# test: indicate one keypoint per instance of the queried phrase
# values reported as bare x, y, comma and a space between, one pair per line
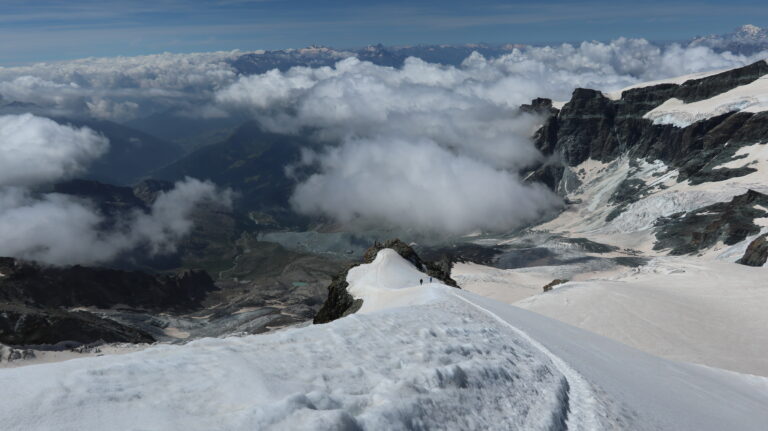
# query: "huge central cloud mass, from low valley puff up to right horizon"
438, 148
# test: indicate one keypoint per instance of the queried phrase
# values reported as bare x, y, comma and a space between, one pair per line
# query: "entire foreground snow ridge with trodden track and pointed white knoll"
430, 357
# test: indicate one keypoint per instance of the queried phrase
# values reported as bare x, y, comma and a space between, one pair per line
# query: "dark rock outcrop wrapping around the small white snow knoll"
340, 303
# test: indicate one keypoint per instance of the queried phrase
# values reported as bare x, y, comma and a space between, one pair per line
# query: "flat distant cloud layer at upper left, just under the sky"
120, 88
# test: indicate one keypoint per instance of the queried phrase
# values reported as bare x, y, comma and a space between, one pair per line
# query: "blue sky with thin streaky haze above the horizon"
34, 30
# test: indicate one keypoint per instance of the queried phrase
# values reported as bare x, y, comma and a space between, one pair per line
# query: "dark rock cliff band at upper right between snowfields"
593, 126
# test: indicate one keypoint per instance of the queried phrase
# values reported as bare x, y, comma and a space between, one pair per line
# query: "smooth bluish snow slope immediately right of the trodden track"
660, 394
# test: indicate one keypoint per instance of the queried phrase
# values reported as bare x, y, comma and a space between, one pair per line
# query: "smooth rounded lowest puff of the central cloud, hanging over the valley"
418, 185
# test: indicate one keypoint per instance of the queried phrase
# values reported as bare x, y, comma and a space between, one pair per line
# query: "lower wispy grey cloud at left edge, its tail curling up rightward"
62, 230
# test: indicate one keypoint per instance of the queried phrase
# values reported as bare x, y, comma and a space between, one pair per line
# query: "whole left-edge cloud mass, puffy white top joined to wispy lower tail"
61, 229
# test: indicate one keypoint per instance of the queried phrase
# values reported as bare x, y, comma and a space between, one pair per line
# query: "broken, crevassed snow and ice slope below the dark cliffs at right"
634, 227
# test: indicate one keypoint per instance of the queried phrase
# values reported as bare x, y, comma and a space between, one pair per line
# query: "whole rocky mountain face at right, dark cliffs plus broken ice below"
703, 157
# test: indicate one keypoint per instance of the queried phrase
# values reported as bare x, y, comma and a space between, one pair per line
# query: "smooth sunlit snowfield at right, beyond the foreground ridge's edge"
680, 308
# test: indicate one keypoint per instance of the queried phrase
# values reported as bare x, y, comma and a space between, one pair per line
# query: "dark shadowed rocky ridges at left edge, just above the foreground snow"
41, 305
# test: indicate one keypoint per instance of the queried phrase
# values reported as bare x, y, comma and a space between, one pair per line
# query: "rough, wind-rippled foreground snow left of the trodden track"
441, 365
